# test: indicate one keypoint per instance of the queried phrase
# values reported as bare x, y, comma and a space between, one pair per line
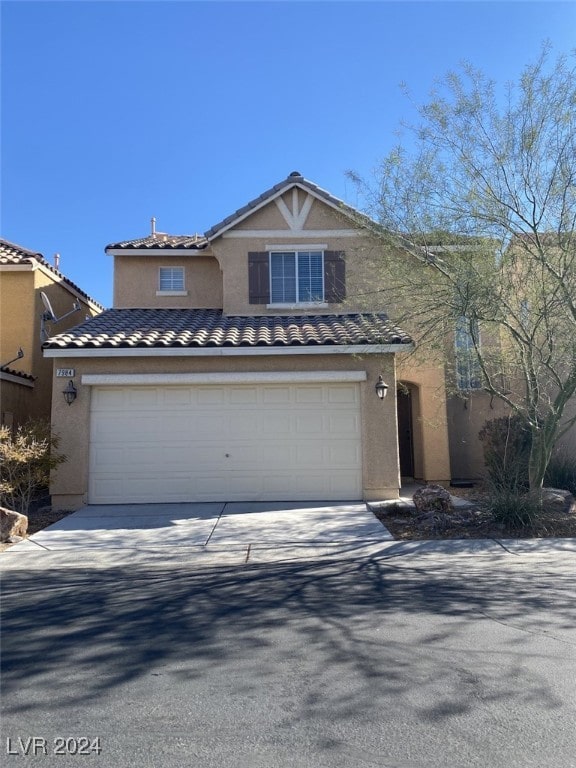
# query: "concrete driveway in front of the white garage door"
212, 532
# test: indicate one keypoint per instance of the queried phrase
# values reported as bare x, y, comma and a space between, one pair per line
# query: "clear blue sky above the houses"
113, 112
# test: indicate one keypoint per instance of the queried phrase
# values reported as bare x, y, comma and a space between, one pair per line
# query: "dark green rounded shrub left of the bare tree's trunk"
506, 444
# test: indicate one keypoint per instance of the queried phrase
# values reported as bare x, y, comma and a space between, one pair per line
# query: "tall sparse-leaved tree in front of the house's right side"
484, 197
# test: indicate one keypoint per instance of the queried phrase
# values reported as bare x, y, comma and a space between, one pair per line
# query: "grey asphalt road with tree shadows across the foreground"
417, 660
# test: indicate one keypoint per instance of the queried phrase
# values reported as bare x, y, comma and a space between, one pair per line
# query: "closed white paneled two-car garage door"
225, 443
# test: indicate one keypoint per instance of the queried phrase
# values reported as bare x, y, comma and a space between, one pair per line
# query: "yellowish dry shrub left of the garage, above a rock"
27, 456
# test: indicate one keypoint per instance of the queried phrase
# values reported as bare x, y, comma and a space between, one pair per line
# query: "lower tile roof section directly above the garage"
133, 328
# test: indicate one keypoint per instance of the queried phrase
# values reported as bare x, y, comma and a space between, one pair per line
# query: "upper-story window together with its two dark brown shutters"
287, 277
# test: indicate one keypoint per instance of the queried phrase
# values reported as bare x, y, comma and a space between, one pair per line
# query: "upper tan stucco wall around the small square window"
136, 282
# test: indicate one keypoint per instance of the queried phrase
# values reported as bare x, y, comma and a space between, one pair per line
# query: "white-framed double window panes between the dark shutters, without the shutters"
296, 277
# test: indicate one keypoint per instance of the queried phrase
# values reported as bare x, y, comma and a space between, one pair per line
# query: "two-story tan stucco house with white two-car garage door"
242, 364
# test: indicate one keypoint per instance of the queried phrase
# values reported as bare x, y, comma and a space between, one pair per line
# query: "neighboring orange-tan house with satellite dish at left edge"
25, 375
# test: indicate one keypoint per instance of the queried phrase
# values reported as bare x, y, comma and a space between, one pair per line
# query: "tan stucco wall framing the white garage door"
379, 429
